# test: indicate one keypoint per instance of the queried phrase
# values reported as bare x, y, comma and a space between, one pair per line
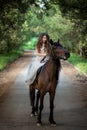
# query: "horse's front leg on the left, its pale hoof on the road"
39, 122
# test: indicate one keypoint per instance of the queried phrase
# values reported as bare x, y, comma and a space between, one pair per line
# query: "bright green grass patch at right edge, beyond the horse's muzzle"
79, 62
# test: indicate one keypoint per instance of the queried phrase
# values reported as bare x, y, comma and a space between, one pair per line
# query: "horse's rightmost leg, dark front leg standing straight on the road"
51, 117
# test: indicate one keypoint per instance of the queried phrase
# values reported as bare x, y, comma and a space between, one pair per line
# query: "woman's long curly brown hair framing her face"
40, 42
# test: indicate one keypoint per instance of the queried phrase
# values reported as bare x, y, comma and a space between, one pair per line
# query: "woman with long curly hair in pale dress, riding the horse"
42, 49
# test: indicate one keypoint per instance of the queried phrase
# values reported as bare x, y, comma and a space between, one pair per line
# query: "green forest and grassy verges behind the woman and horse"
21, 22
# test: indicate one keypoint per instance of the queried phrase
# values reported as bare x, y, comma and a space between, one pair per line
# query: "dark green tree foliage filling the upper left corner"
12, 31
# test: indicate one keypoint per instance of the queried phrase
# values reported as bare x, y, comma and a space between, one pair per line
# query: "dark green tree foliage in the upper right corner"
76, 10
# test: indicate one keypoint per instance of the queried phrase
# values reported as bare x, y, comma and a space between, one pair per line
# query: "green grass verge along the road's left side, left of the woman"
13, 55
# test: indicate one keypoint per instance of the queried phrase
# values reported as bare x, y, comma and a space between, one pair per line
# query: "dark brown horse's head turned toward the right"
59, 52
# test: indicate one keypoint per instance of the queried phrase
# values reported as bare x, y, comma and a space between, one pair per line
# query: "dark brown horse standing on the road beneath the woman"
46, 81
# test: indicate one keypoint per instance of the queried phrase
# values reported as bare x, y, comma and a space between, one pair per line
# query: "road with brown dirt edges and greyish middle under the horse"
70, 111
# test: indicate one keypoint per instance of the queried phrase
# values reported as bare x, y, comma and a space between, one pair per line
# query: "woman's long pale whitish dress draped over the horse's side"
34, 66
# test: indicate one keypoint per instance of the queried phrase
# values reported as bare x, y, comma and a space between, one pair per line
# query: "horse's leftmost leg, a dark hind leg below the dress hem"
32, 99
